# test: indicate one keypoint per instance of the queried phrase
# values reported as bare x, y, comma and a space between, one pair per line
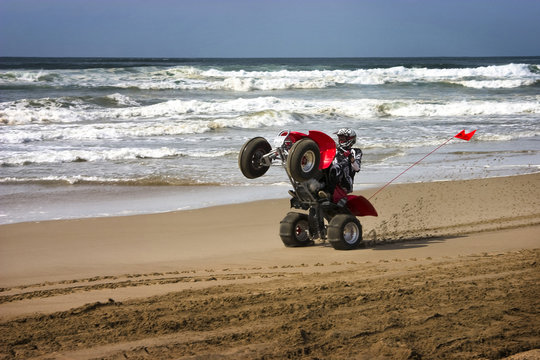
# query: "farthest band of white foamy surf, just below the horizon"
190, 78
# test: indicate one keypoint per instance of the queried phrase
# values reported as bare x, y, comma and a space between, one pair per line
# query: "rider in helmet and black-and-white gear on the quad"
345, 165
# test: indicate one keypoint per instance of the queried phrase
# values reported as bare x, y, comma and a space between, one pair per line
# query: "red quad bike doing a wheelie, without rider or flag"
307, 159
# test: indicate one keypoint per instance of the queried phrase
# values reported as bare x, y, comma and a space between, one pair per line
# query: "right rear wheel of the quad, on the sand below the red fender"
344, 232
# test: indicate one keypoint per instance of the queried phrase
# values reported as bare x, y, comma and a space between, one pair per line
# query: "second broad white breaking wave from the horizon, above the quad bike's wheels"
83, 120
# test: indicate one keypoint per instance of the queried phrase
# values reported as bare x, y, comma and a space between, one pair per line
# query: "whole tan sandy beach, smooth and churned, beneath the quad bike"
450, 270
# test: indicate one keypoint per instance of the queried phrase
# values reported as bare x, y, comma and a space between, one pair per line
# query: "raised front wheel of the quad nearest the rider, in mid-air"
303, 160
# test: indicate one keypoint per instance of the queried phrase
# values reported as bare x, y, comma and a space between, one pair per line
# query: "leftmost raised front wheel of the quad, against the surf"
249, 159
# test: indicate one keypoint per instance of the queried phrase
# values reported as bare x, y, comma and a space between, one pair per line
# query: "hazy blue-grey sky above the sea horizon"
269, 28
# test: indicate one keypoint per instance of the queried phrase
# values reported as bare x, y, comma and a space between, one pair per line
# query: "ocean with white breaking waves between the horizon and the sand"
117, 136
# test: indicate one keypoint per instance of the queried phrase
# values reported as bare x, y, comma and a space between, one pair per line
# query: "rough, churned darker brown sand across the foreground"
478, 306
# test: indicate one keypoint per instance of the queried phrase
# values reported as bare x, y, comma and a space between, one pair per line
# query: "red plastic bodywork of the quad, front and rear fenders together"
358, 205
